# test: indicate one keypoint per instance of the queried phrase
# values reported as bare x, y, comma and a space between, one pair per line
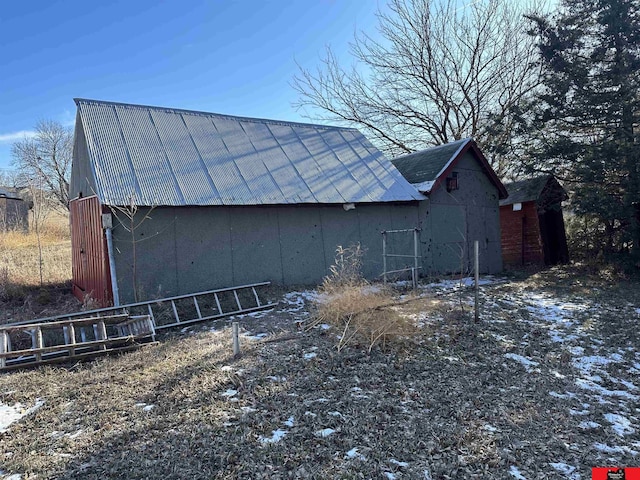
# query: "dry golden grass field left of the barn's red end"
22, 295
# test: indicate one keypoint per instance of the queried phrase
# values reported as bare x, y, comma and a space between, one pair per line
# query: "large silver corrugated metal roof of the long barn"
163, 156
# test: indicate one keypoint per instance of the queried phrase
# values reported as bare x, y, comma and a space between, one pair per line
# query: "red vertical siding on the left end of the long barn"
90, 264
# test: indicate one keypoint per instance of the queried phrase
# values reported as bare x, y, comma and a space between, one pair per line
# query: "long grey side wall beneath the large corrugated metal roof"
187, 249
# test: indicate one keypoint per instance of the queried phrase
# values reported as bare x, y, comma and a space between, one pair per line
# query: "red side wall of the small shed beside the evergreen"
520, 235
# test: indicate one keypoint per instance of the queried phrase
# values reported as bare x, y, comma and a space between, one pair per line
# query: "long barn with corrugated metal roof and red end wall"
194, 201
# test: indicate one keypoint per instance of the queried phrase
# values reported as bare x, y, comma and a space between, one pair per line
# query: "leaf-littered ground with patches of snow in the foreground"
545, 386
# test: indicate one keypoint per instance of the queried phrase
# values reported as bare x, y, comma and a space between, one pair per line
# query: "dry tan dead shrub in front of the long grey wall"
363, 313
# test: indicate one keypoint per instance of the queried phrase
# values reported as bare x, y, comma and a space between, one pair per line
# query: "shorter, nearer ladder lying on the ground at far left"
66, 340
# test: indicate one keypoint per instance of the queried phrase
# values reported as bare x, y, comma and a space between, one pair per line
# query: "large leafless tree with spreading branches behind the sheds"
436, 72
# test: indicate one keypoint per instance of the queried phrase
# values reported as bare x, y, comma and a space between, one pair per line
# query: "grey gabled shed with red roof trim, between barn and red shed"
462, 193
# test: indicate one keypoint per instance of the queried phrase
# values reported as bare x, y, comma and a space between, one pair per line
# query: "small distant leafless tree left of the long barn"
45, 158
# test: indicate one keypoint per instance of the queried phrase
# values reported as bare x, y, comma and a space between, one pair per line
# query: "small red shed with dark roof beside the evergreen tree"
532, 223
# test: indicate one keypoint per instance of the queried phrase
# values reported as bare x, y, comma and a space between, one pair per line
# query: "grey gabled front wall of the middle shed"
452, 221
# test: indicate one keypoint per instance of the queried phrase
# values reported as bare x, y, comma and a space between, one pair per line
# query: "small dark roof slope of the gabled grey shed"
424, 167
